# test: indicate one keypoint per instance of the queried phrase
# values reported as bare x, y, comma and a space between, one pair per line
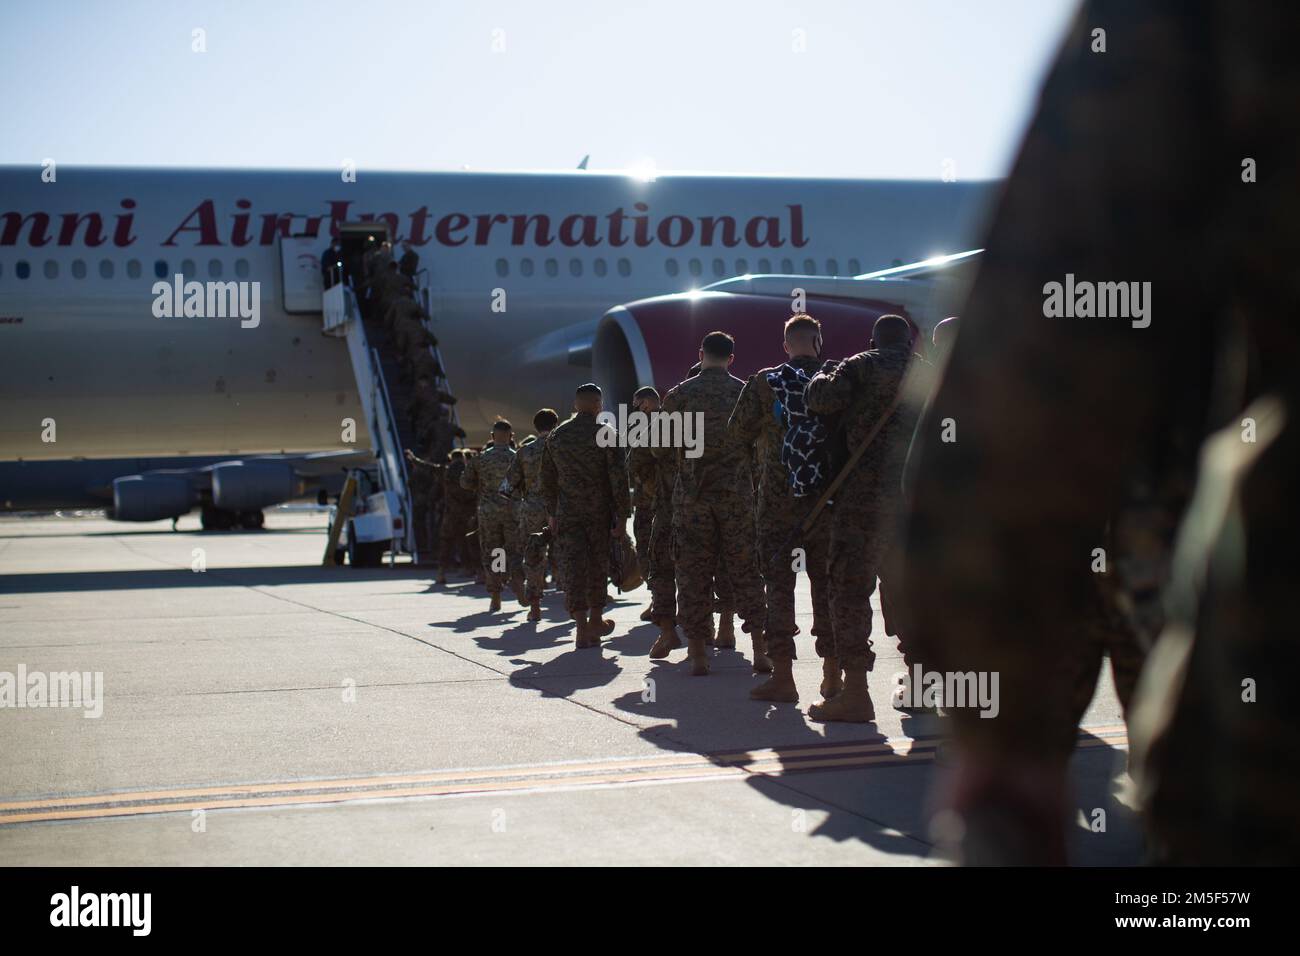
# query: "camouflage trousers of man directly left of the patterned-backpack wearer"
714, 538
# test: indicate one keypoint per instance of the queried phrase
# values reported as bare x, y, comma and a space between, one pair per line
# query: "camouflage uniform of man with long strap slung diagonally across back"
861, 390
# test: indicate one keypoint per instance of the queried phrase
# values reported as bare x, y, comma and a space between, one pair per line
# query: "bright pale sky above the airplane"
882, 89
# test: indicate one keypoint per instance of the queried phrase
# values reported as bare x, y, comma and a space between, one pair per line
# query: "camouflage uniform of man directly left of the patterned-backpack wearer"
713, 509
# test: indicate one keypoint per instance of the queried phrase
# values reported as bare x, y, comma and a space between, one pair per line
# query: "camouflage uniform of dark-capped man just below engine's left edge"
586, 490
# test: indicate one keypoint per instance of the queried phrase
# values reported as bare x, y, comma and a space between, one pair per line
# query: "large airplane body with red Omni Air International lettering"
517, 271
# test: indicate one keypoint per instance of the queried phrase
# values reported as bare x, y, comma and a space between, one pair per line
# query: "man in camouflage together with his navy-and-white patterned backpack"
791, 447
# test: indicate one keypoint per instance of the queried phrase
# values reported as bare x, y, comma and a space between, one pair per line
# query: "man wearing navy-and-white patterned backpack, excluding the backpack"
760, 423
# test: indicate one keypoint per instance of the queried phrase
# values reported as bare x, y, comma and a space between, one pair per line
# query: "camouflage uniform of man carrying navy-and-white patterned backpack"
781, 513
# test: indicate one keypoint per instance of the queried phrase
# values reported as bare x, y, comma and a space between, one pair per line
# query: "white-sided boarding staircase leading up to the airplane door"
385, 403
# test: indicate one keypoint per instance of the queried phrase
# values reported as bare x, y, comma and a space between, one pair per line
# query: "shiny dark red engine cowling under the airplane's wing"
656, 341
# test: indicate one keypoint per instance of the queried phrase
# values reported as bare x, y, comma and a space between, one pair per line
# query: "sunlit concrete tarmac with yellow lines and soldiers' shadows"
268, 711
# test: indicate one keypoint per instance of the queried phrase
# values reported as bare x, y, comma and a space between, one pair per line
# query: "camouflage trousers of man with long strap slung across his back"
861, 542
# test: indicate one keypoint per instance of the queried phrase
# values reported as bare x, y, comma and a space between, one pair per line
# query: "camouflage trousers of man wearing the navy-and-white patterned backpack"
779, 520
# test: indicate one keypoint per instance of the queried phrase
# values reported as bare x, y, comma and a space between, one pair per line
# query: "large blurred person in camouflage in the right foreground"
1080, 414
